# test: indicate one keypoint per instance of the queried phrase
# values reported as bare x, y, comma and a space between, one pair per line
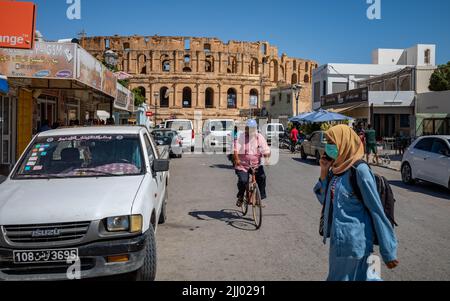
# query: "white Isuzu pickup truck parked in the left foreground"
83, 203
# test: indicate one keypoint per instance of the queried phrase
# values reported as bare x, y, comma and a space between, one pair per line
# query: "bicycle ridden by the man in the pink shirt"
252, 197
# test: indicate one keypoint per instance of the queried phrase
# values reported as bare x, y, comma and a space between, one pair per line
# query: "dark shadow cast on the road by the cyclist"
231, 217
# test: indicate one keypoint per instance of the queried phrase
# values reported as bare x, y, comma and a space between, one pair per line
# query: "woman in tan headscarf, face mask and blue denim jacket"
351, 224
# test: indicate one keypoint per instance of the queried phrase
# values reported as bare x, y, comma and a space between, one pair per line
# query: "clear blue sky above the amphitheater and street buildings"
329, 31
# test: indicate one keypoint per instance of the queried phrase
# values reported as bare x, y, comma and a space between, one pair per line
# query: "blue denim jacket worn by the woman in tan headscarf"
354, 223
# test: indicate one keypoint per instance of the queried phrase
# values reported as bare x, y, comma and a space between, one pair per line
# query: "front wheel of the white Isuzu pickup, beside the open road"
148, 270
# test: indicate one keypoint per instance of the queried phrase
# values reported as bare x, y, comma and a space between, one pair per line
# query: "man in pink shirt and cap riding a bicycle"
249, 148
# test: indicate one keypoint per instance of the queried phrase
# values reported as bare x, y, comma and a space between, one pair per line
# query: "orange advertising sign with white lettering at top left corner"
17, 24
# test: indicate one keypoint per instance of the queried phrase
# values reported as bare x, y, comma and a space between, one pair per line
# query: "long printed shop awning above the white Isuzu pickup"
51, 65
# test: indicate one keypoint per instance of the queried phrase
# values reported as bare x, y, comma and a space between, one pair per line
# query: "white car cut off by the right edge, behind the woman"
427, 159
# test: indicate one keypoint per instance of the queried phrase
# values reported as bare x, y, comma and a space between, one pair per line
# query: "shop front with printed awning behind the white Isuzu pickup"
51, 85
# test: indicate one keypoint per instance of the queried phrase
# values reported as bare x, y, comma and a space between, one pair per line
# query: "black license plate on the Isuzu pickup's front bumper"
39, 256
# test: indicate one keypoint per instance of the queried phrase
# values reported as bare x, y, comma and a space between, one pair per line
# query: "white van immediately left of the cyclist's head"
218, 134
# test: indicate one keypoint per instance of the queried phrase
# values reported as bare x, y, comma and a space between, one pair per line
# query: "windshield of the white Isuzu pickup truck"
82, 156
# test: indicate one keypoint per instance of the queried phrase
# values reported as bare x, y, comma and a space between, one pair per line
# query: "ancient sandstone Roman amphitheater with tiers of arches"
182, 75
